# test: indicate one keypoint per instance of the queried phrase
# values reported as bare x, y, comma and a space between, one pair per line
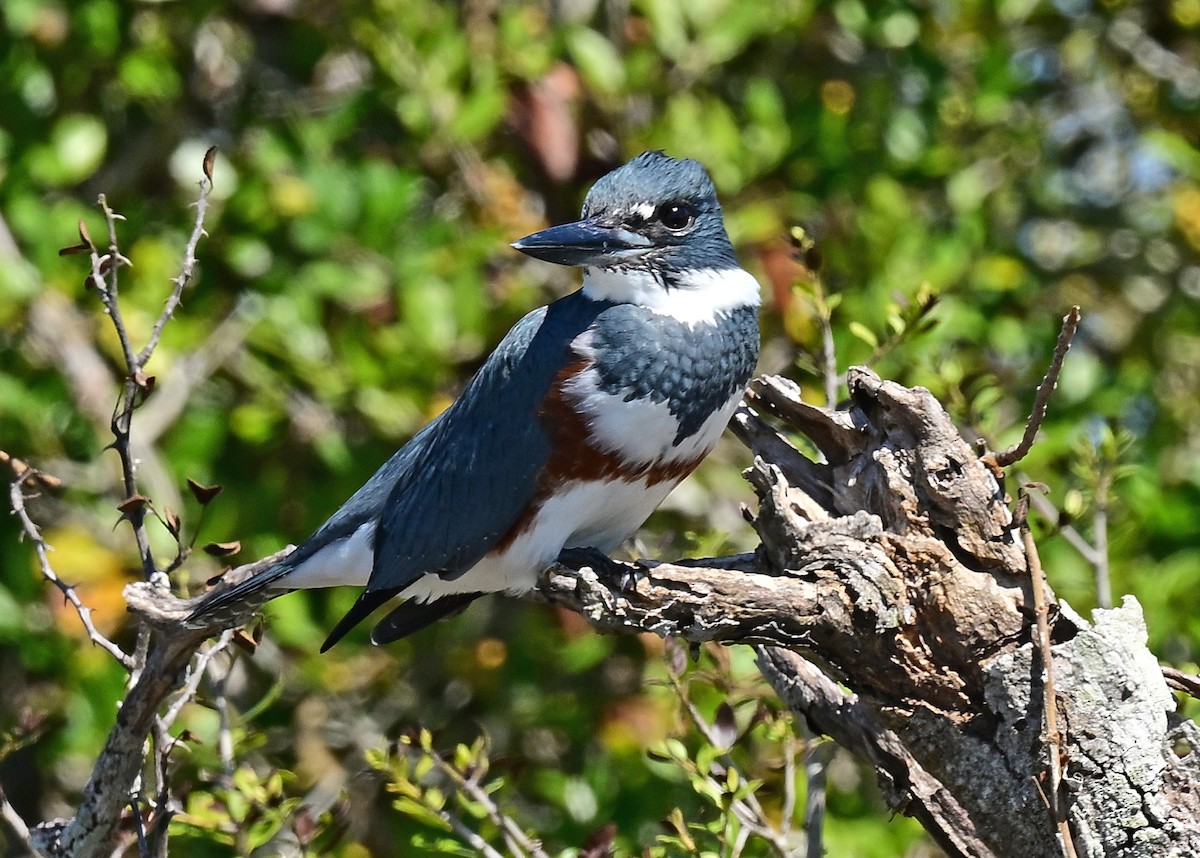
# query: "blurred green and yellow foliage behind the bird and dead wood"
967, 171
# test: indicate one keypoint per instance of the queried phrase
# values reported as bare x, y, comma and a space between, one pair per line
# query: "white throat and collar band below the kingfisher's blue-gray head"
697, 296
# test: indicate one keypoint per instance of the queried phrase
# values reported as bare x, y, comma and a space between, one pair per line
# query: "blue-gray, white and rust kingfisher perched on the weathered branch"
585, 418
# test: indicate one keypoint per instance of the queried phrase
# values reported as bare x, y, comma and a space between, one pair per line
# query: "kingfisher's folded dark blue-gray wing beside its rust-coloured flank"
460, 485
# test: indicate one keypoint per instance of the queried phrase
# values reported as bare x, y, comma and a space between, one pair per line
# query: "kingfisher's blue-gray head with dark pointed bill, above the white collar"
653, 214
